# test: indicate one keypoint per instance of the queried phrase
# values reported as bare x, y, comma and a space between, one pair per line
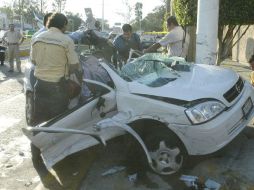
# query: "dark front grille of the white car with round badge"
234, 91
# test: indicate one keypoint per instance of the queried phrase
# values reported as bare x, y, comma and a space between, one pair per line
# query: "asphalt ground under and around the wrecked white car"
232, 167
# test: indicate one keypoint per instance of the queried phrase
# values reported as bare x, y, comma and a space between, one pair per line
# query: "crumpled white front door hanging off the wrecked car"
56, 146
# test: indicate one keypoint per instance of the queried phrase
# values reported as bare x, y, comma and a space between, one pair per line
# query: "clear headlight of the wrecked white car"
205, 111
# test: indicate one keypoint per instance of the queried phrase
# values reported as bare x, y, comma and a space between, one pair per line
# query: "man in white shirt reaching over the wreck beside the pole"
176, 41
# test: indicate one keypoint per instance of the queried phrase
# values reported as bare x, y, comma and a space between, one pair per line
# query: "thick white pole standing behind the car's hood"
207, 31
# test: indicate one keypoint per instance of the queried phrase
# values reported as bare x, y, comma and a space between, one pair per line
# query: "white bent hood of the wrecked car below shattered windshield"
202, 81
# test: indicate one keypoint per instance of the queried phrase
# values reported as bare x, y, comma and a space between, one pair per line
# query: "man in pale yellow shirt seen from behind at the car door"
54, 57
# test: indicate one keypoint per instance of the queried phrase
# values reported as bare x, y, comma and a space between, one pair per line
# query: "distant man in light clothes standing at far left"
13, 39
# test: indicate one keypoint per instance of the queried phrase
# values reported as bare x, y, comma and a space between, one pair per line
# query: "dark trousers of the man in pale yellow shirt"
50, 100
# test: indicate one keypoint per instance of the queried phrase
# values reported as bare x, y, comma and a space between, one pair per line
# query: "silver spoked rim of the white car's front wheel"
166, 161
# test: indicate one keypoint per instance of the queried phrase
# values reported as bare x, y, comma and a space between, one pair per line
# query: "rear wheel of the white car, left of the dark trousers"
30, 120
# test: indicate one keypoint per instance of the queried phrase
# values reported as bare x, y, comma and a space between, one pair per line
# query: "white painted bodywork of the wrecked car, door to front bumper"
128, 104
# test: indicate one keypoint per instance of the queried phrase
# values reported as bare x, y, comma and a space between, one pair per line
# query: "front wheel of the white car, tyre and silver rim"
166, 151
